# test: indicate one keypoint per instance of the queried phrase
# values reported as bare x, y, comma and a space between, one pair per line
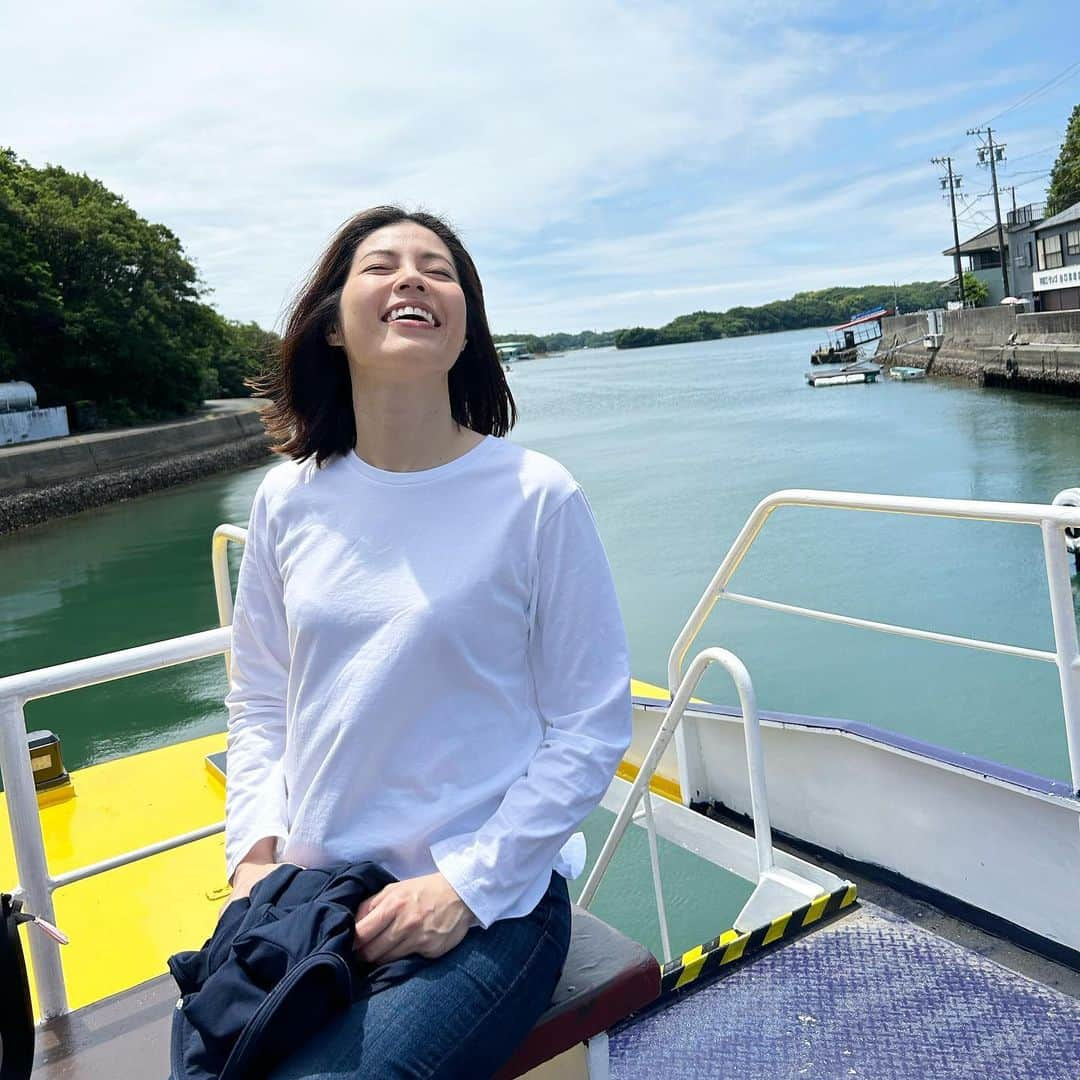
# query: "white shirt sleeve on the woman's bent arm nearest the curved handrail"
580, 667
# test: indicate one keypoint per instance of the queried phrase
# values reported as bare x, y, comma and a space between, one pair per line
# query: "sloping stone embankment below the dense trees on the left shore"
60, 477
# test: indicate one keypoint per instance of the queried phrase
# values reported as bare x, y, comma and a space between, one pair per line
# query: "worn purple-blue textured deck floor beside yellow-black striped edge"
871, 995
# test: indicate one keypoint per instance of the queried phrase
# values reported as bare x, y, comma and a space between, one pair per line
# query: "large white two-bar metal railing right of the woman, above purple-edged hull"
1052, 521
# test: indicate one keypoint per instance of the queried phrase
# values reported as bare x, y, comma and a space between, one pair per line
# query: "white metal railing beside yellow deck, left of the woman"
36, 884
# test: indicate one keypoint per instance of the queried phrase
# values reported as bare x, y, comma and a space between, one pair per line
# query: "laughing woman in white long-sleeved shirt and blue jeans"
429, 669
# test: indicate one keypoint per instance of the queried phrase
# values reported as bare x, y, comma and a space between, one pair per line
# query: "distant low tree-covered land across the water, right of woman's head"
823, 307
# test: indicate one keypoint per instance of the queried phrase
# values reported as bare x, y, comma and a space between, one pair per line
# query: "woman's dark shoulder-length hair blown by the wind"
308, 384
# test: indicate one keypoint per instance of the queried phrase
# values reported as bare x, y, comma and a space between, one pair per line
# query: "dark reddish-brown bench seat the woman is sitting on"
606, 978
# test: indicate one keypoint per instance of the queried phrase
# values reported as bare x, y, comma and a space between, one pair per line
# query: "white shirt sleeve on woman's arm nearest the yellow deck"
255, 803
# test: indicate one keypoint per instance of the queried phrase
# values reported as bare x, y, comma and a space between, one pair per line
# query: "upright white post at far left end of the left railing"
31, 861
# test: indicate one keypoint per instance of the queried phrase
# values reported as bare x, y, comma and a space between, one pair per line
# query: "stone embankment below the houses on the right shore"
993, 346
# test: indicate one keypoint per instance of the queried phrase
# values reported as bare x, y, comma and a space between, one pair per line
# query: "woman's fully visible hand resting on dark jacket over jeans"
420, 915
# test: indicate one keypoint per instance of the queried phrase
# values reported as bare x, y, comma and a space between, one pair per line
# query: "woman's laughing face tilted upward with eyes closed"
403, 312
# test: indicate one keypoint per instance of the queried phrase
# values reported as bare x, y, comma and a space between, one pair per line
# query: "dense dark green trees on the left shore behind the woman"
98, 304
